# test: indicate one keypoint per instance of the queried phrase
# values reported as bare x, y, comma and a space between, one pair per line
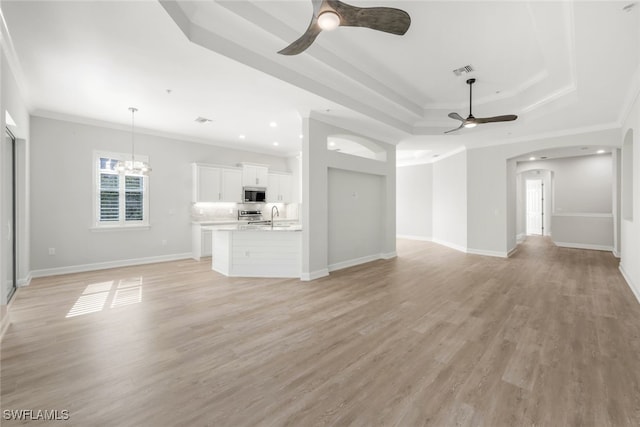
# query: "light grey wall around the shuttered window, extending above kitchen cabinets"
62, 192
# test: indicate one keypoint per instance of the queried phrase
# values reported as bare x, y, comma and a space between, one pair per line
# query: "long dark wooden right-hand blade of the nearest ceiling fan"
387, 19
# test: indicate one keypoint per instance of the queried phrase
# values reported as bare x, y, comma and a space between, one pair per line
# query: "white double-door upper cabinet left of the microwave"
215, 184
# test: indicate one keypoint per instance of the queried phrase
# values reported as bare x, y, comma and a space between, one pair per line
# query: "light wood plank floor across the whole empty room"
549, 337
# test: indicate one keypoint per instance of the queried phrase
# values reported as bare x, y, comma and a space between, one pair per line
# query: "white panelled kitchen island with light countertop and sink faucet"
257, 251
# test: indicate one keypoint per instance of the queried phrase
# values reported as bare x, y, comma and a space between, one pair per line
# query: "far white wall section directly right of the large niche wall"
414, 201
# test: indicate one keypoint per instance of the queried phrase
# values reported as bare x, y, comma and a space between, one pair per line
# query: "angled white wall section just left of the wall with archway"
450, 201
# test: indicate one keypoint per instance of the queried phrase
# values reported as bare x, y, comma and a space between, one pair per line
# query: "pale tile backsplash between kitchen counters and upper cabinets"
229, 211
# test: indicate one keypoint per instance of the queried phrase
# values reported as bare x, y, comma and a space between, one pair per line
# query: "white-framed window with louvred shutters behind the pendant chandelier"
122, 200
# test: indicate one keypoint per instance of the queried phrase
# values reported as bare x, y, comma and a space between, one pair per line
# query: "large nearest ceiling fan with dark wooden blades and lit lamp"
330, 14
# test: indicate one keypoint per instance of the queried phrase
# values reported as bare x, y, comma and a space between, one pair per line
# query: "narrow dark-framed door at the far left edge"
9, 184
